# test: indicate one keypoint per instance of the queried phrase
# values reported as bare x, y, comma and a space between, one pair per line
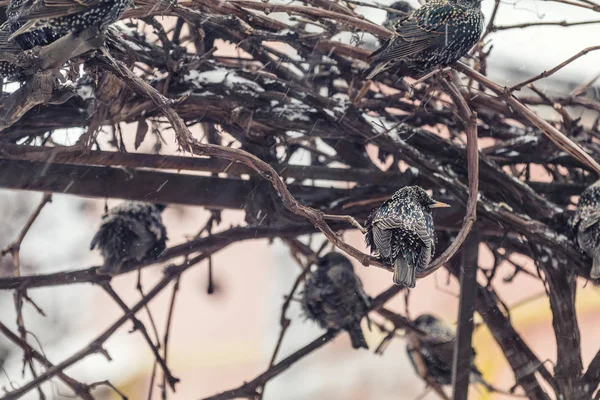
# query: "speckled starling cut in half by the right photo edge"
586, 226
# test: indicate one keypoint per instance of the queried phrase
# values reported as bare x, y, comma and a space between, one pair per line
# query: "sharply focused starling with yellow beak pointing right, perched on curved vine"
401, 231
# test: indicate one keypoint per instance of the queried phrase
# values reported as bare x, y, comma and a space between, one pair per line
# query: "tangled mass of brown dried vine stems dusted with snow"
292, 87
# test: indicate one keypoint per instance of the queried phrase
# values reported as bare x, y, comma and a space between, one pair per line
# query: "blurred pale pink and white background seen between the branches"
220, 340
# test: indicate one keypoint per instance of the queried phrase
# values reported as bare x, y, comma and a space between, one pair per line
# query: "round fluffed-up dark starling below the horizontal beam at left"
131, 231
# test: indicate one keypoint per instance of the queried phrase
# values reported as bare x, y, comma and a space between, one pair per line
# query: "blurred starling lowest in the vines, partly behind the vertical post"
437, 351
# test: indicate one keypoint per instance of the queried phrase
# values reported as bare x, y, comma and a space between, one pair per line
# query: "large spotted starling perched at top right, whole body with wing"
436, 35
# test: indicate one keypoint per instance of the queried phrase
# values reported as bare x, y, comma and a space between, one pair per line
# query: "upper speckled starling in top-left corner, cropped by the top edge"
41, 22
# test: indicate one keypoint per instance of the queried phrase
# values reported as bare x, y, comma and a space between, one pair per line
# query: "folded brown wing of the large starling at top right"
416, 33
